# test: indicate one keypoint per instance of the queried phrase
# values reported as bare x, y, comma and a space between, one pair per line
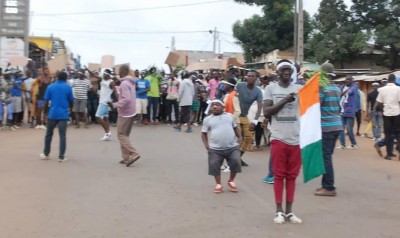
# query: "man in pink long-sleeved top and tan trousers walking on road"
126, 106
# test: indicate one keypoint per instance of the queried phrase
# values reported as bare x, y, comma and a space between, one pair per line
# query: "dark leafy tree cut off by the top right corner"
381, 19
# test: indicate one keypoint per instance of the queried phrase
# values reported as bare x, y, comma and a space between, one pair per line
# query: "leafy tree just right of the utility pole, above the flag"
336, 37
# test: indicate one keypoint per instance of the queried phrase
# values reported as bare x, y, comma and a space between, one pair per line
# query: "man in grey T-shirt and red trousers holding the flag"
282, 106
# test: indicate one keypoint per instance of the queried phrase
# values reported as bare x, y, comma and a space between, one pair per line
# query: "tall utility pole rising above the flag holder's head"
299, 32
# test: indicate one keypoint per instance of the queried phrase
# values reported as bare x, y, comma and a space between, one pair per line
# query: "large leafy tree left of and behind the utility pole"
274, 29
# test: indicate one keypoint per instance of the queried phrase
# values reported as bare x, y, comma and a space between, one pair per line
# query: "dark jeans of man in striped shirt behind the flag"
328, 146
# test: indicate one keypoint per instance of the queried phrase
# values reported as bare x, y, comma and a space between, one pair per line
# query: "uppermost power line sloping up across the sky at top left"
129, 10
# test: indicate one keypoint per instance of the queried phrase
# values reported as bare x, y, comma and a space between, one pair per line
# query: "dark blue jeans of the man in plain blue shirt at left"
62, 131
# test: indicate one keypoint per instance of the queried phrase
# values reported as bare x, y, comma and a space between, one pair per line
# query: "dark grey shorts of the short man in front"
216, 158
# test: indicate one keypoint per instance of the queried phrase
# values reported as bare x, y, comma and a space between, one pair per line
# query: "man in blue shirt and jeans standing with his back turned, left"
60, 96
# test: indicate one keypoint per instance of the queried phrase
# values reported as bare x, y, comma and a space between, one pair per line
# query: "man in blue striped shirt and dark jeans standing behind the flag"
331, 124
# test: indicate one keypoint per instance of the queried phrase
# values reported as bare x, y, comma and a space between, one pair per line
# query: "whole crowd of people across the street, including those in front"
235, 111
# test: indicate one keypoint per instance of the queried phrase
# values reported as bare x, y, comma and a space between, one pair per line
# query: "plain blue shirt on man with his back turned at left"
60, 96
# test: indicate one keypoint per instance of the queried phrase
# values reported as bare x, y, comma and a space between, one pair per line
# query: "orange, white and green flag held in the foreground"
310, 129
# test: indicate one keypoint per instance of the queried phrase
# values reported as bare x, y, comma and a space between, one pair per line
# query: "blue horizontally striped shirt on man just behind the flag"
330, 109
